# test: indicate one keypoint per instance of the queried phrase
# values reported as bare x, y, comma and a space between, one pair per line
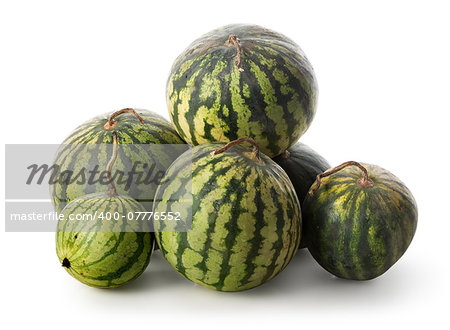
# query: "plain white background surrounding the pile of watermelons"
384, 76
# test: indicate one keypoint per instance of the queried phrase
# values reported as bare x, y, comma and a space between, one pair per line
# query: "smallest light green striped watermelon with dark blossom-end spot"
103, 253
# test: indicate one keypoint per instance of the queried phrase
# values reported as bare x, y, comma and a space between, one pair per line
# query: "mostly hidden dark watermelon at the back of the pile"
302, 164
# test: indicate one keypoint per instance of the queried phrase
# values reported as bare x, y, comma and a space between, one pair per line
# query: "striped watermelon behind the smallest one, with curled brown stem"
86, 147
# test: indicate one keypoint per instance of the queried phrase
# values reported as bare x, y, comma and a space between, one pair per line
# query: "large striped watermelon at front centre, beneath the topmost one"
246, 220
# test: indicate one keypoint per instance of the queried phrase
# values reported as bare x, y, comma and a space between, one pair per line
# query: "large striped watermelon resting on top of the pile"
242, 80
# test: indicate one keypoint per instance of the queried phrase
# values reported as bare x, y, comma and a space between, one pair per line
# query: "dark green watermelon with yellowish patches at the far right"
361, 220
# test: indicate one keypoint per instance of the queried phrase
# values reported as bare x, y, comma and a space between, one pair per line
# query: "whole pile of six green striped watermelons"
248, 195
